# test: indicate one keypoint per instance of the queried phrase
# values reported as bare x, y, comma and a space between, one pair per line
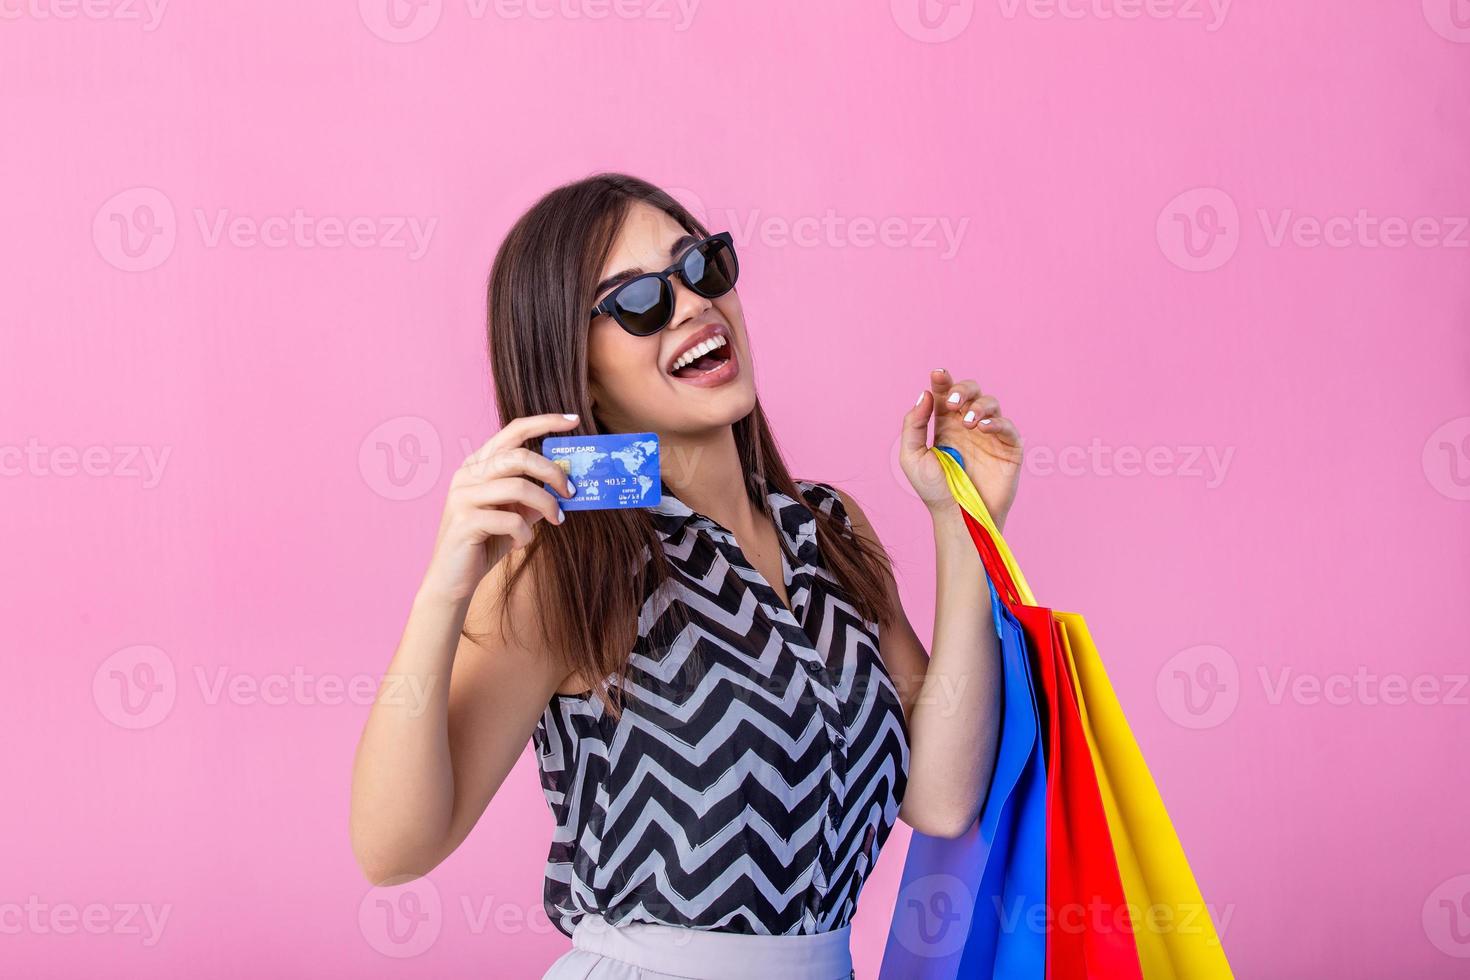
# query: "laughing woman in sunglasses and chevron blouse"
728, 703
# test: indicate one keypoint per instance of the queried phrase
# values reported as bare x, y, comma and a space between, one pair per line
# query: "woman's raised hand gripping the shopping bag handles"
971, 422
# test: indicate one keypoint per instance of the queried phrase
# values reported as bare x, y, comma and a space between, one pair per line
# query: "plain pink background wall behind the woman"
305, 400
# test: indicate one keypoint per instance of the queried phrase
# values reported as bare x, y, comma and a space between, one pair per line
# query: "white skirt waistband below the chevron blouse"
646, 951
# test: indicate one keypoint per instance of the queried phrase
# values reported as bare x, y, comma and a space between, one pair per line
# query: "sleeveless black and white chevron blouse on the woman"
761, 757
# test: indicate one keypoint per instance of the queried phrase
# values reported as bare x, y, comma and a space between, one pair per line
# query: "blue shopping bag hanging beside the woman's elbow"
965, 906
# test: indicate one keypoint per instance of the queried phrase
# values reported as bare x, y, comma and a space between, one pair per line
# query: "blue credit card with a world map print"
608, 471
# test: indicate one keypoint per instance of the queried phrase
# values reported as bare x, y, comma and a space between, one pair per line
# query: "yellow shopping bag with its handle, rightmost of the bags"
1174, 932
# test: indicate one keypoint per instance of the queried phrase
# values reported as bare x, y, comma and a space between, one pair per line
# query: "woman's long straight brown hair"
592, 575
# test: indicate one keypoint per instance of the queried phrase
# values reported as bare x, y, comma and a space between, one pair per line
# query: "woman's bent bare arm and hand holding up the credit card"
452, 716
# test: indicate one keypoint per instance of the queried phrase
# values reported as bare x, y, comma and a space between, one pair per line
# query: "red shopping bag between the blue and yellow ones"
1090, 926
